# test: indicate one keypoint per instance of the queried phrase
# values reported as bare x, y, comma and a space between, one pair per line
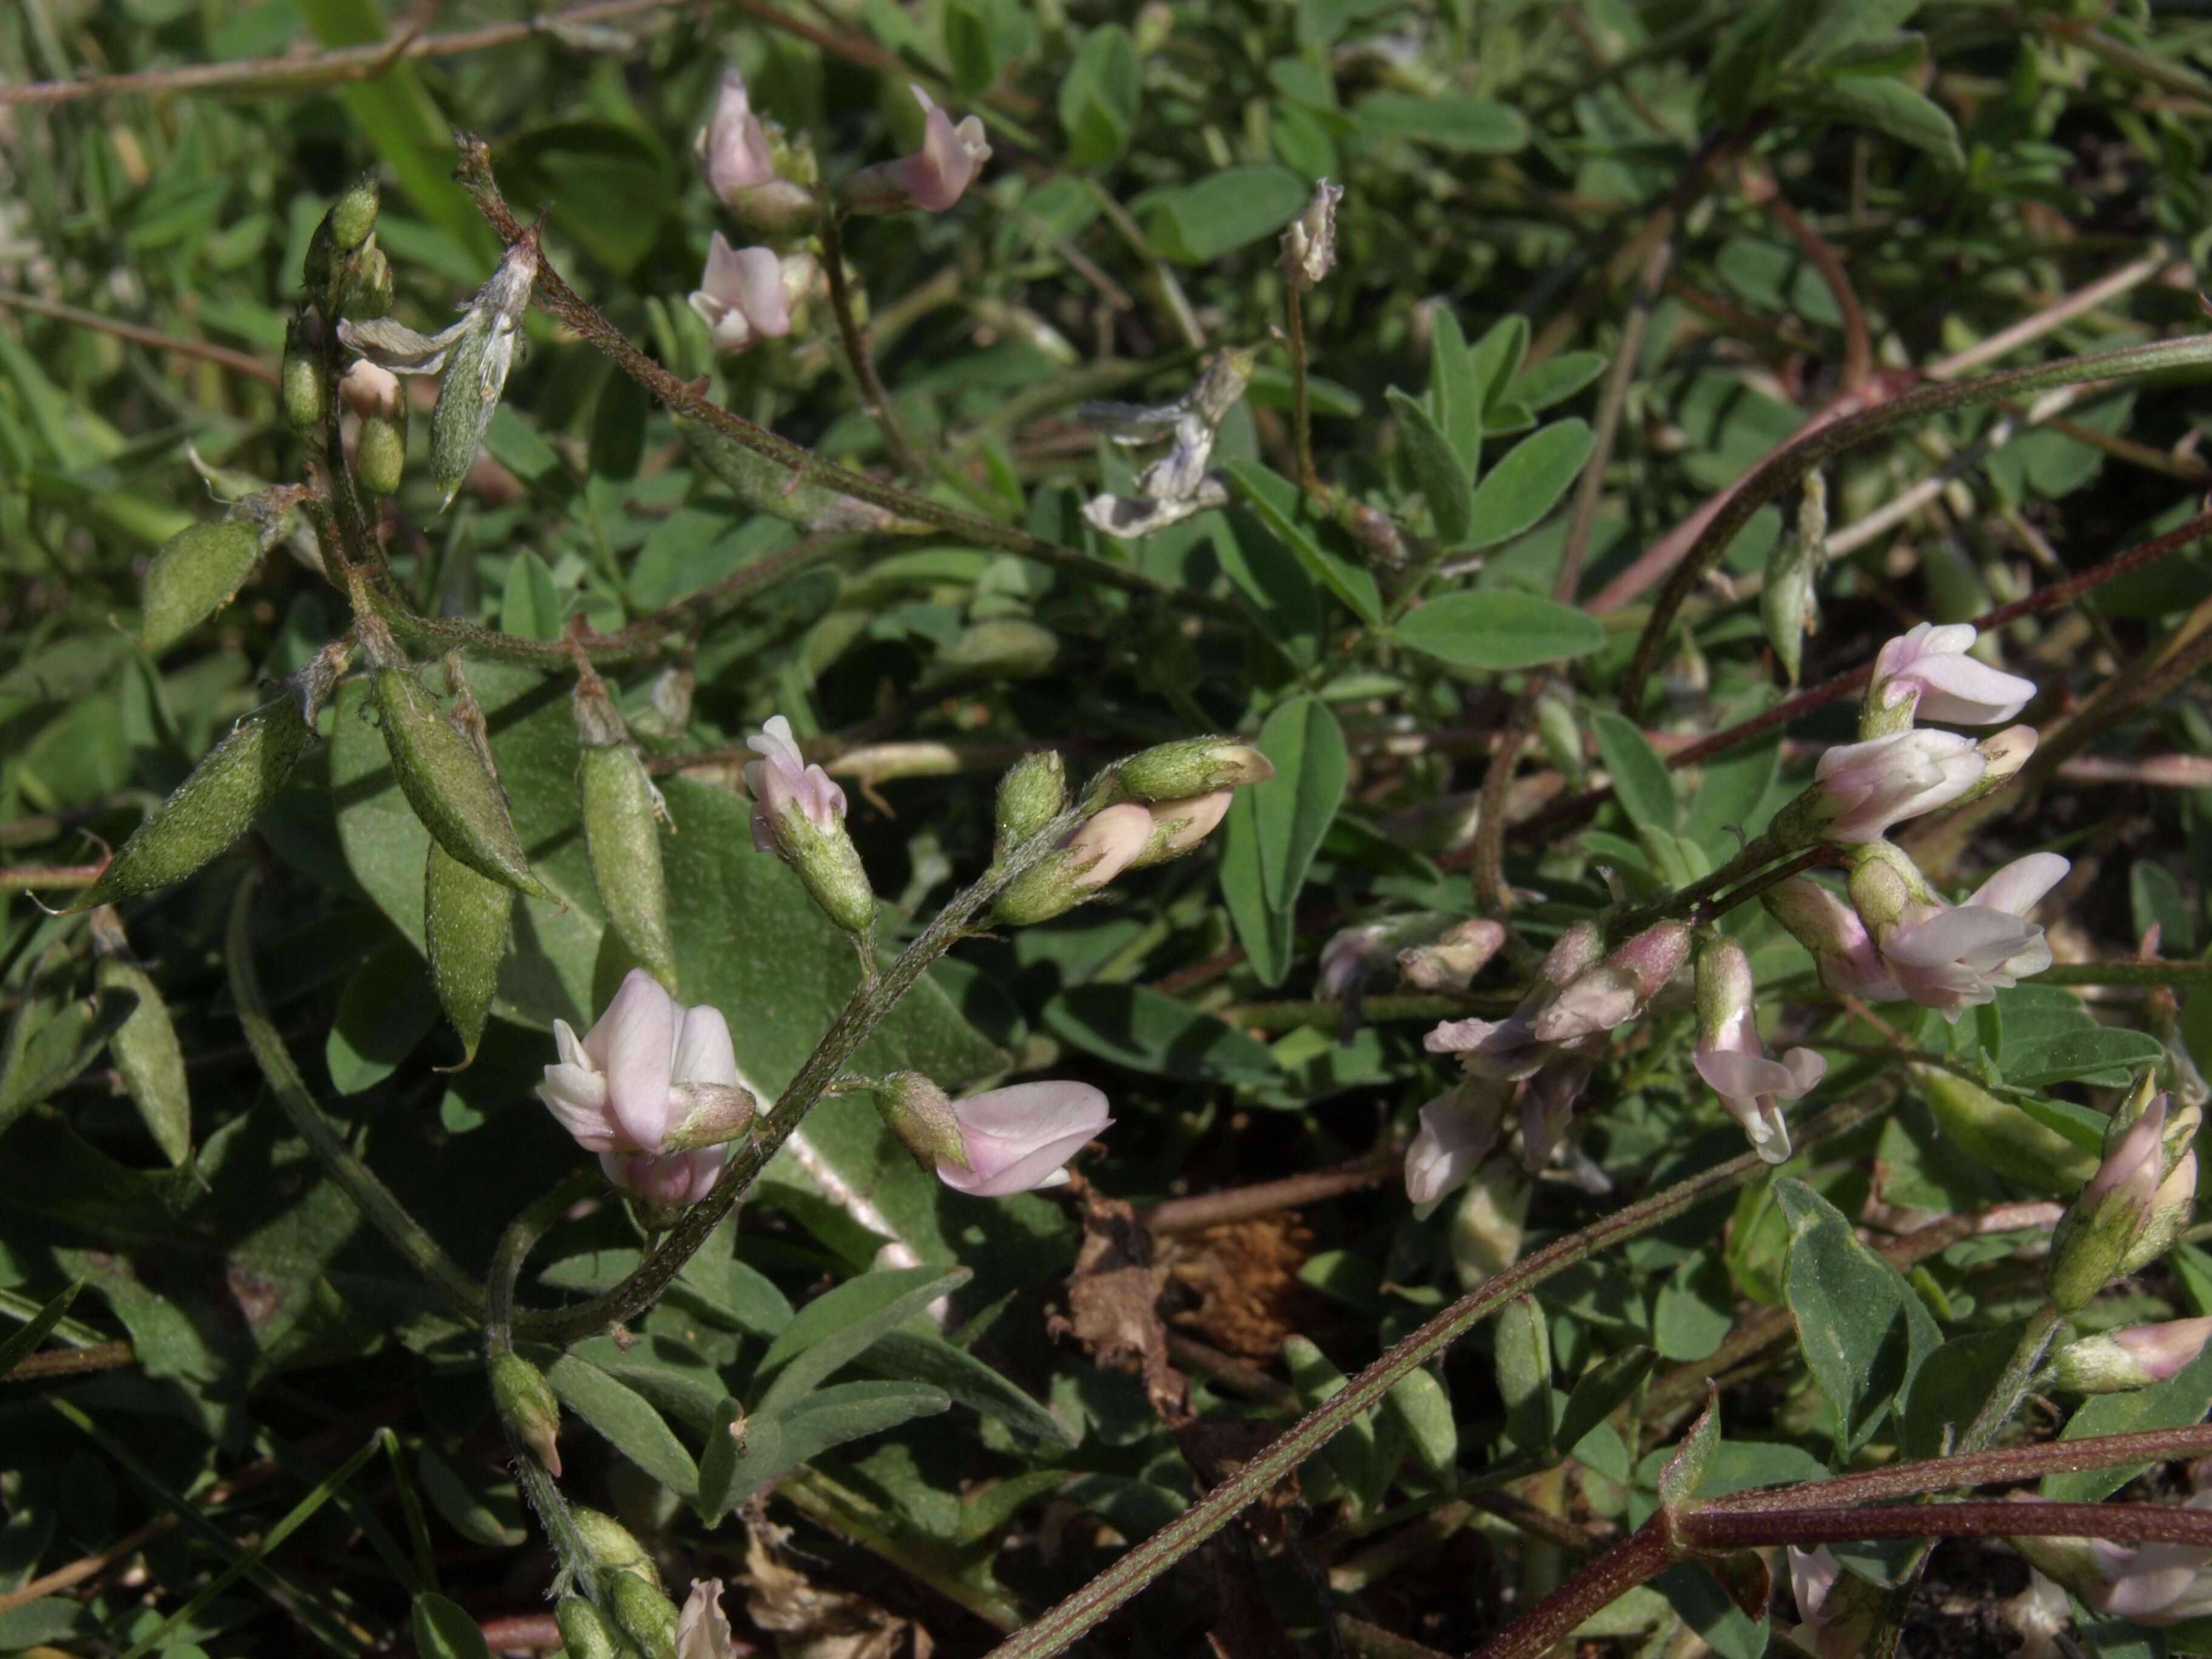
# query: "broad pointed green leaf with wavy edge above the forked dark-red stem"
1861, 1326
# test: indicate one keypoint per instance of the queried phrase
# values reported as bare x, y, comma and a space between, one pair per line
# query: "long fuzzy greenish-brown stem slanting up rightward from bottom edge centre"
1067, 1623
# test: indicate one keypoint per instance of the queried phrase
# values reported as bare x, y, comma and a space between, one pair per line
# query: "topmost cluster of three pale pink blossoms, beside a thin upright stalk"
769, 182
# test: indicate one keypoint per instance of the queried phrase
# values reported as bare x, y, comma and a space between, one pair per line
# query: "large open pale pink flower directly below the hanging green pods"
634, 1081
